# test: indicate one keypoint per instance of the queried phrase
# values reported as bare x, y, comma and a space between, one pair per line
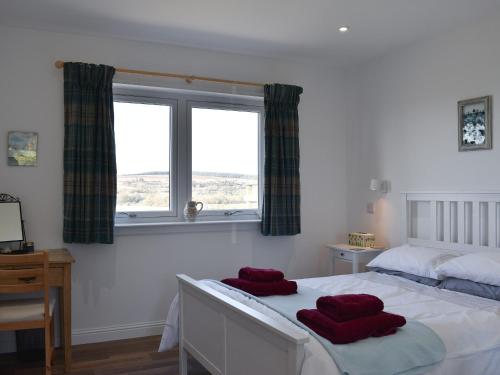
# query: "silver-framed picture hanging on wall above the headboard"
474, 124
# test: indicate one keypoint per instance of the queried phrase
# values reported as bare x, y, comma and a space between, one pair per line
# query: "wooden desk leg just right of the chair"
65, 315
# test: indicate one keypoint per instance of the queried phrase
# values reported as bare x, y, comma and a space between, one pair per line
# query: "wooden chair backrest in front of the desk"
24, 273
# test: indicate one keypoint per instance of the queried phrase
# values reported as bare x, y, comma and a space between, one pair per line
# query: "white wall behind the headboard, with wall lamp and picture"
402, 121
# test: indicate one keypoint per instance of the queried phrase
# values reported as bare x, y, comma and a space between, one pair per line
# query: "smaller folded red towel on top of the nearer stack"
345, 307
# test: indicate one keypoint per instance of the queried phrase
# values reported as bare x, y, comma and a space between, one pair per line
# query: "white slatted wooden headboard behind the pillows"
467, 221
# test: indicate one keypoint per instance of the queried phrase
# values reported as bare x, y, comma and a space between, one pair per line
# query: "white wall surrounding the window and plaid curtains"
130, 283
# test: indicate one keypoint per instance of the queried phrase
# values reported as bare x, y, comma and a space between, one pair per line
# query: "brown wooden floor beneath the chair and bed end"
133, 356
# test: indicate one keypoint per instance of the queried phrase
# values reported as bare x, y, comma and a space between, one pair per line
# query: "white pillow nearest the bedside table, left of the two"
416, 260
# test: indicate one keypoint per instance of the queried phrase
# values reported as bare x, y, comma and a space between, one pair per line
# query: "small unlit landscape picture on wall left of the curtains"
22, 149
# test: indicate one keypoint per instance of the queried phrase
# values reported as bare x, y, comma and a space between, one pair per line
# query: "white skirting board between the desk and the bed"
117, 332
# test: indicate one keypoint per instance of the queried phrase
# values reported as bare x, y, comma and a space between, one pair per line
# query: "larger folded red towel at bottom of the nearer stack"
381, 324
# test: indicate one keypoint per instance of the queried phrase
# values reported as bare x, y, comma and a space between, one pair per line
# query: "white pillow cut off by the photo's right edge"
482, 267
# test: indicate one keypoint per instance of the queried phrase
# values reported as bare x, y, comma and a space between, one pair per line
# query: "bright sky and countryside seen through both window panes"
224, 157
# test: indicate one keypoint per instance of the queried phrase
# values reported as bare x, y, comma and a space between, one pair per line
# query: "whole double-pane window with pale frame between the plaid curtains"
172, 147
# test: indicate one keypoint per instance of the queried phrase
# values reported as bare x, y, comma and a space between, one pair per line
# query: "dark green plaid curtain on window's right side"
281, 205
